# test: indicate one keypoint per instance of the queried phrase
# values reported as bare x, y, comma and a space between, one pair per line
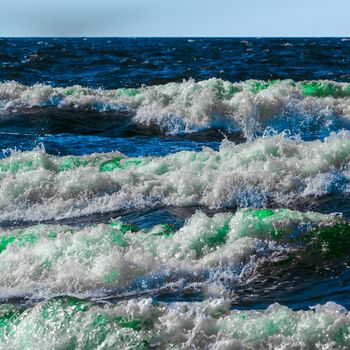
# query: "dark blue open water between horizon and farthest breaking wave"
111, 62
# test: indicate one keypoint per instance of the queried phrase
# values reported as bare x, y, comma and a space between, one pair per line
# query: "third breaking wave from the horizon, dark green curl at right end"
46, 260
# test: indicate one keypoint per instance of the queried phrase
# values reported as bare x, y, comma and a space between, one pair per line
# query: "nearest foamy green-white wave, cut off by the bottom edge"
68, 323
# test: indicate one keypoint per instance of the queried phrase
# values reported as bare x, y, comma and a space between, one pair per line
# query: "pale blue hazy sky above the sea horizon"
174, 18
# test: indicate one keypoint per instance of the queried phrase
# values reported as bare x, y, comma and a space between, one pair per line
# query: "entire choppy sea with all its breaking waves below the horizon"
174, 193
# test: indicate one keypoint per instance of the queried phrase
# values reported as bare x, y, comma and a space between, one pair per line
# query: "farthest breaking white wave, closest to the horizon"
193, 106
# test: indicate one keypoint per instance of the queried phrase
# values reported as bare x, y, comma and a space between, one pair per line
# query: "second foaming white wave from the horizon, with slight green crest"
37, 186
